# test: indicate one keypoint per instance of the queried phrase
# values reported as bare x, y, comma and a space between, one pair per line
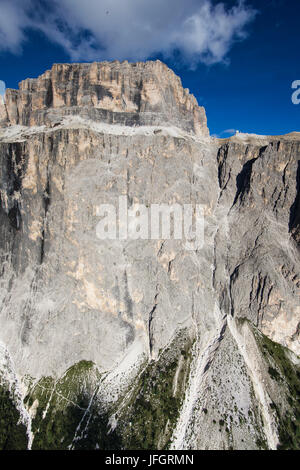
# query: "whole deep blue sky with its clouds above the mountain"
239, 60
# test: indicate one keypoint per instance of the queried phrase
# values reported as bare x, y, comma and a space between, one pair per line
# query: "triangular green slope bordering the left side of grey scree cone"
153, 410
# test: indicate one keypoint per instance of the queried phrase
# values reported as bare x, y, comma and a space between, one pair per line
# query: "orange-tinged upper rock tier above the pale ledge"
131, 94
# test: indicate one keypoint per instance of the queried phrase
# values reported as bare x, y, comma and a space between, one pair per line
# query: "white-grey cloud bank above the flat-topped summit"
196, 30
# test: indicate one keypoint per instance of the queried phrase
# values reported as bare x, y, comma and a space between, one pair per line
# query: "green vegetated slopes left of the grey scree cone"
66, 415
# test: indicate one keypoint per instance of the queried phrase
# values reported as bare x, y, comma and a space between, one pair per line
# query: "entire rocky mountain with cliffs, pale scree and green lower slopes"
143, 343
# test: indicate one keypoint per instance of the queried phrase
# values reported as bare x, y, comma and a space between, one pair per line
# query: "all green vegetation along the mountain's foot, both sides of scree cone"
66, 415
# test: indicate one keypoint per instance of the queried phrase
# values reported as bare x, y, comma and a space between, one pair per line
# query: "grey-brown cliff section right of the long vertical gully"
259, 184
